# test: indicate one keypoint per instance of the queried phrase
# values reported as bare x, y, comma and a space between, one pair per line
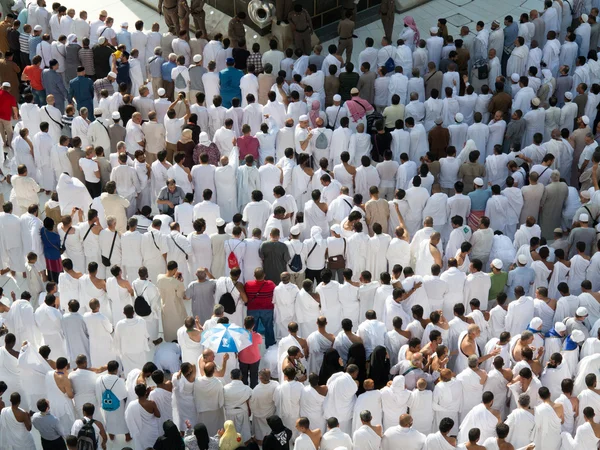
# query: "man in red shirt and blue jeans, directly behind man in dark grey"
260, 303
